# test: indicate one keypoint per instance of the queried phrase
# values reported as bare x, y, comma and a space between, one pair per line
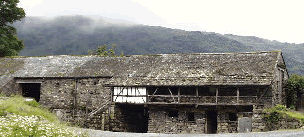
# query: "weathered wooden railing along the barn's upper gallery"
197, 98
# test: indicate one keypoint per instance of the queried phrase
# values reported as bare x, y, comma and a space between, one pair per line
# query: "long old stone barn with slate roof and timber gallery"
165, 93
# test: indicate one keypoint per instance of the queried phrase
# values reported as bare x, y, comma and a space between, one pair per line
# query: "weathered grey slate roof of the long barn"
250, 68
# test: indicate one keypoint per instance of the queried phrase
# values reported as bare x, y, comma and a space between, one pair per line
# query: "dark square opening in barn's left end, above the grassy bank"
31, 90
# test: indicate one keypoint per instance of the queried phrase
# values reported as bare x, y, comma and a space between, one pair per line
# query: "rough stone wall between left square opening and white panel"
73, 99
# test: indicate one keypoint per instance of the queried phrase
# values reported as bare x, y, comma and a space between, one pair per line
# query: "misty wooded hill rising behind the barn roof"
77, 34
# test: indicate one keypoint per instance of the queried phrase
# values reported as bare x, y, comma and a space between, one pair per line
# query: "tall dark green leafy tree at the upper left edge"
9, 13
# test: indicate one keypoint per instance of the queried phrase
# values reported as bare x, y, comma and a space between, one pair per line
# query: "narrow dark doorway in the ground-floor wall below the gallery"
211, 122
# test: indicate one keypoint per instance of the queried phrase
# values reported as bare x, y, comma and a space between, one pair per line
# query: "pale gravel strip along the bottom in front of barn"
289, 133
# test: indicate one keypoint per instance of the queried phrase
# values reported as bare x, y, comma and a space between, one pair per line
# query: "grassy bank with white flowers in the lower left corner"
19, 117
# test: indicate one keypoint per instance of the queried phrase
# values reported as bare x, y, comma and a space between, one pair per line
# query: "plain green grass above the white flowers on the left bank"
17, 105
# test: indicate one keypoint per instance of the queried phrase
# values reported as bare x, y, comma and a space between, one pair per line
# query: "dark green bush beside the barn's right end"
295, 87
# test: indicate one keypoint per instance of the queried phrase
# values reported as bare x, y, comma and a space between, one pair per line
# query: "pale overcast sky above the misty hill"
281, 20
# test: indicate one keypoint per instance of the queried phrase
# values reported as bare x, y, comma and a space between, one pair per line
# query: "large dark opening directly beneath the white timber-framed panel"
134, 118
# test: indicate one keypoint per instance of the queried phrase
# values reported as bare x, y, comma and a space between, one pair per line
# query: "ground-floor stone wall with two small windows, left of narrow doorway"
161, 122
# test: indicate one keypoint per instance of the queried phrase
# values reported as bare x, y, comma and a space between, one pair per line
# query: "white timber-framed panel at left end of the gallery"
130, 94
